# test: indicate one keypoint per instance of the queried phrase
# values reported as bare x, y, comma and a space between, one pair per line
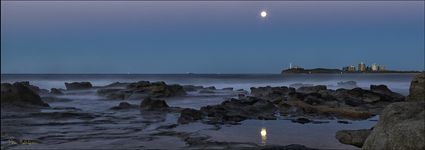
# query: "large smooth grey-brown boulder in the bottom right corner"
401, 126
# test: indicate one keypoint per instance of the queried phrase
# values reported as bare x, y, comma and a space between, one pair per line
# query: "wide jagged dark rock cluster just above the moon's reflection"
318, 101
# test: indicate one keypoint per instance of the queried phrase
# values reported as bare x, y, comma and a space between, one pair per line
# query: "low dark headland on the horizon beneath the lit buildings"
326, 70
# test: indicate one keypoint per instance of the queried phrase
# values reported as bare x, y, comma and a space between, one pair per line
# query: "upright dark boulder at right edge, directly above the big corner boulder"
417, 88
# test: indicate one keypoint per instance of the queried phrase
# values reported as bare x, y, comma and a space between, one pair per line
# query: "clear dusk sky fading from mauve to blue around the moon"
208, 37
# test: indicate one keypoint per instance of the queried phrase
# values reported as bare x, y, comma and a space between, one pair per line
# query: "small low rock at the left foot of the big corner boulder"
353, 137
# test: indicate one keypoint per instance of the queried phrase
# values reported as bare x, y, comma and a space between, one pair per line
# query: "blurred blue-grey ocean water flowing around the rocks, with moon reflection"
135, 129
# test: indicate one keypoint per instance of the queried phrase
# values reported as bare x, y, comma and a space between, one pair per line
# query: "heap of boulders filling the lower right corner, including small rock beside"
401, 125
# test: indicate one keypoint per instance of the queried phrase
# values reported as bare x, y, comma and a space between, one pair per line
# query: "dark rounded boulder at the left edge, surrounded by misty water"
20, 94
